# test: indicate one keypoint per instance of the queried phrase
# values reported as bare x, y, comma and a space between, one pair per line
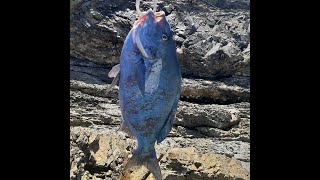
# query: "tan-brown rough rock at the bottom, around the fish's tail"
103, 152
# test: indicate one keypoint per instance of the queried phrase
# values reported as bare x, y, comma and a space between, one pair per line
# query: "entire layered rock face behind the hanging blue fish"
210, 138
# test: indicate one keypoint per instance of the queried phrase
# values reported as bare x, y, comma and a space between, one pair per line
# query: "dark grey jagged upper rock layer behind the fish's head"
212, 42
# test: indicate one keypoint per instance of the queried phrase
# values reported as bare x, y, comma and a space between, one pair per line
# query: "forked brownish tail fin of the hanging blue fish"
147, 159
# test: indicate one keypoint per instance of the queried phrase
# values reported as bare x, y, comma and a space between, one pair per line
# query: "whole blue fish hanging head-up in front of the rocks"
149, 86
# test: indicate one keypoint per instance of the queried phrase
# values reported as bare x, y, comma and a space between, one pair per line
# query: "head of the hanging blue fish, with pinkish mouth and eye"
152, 35
